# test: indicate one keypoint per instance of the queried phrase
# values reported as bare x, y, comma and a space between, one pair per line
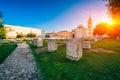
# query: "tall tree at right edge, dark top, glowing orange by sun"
114, 12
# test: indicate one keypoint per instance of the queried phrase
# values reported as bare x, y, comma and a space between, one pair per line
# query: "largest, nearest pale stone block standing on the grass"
74, 49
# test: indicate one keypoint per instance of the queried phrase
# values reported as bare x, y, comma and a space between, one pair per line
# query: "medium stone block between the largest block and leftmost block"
52, 46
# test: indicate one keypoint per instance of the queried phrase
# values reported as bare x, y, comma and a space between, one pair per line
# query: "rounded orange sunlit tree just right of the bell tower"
100, 29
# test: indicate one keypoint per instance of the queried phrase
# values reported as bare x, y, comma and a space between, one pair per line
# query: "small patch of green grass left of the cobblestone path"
5, 50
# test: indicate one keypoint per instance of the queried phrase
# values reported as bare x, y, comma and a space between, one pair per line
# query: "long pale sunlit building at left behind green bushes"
13, 31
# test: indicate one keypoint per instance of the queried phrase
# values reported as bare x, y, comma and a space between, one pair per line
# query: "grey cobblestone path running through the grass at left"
20, 65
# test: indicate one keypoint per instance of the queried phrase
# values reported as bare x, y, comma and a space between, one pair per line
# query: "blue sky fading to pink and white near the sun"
52, 15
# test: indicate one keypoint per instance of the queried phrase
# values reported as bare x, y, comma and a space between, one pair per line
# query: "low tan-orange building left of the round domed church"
64, 34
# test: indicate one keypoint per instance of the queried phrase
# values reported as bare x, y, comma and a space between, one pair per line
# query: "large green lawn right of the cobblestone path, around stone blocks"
92, 65
